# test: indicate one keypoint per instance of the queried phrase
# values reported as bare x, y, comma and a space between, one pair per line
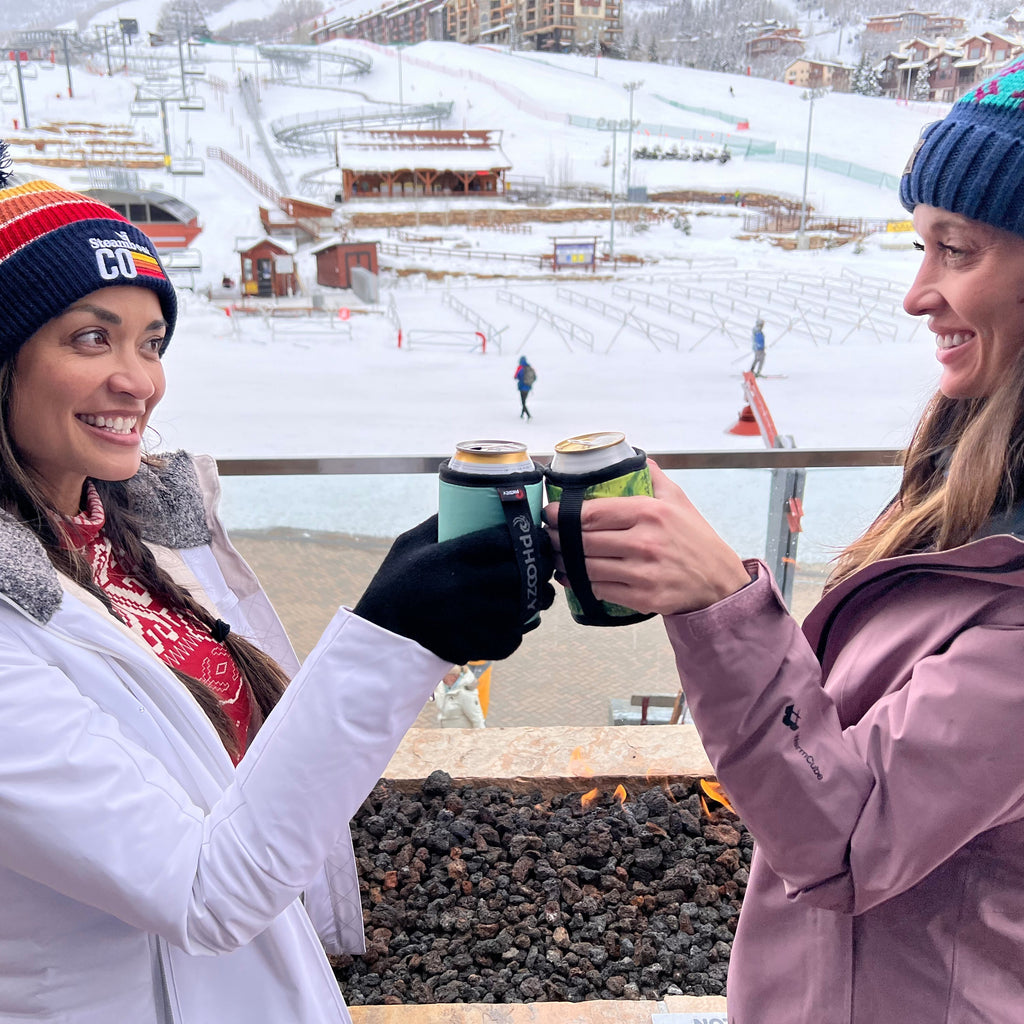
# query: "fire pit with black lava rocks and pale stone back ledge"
584, 878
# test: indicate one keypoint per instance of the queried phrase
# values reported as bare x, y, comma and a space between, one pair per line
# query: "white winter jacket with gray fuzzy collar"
143, 878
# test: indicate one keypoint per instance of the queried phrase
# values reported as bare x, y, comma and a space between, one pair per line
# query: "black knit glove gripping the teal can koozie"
463, 600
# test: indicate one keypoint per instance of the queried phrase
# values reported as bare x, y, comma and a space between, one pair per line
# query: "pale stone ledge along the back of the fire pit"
560, 759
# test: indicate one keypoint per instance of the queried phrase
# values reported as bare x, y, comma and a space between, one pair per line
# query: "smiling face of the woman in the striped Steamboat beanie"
84, 387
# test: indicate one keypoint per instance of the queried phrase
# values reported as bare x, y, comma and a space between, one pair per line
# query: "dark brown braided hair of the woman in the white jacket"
22, 496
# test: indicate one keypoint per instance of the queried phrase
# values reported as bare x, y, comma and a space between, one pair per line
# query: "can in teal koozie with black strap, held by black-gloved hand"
490, 483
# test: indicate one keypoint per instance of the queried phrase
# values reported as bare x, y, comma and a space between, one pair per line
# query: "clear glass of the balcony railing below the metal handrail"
316, 542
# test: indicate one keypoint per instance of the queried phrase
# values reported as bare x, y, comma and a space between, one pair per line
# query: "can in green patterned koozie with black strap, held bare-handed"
598, 465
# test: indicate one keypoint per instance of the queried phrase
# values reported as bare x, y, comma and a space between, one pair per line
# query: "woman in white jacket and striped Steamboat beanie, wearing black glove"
176, 790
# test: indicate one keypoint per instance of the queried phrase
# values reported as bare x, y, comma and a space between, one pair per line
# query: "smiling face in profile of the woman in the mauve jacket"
971, 287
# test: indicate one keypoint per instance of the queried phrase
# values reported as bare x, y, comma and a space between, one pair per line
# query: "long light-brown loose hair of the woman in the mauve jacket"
965, 464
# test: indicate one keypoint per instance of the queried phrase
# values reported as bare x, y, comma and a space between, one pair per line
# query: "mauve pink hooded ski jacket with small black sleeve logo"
878, 758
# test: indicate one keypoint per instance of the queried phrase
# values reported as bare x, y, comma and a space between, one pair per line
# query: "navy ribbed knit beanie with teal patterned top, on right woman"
972, 162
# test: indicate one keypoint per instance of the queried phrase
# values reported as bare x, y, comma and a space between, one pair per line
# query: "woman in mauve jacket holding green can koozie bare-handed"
876, 752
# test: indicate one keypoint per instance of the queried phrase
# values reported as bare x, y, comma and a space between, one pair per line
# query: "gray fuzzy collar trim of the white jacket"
166, 497
